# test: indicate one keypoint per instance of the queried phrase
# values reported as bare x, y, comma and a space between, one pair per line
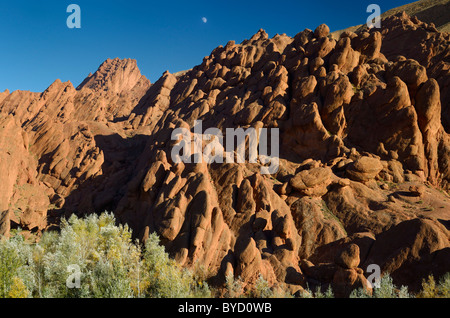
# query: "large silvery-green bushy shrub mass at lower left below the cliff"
99, 257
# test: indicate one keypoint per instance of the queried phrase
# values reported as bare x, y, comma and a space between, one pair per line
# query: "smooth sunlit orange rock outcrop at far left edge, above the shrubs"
24, 199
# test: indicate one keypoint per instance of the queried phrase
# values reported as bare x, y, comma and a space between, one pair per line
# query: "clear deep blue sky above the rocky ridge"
37, 47
